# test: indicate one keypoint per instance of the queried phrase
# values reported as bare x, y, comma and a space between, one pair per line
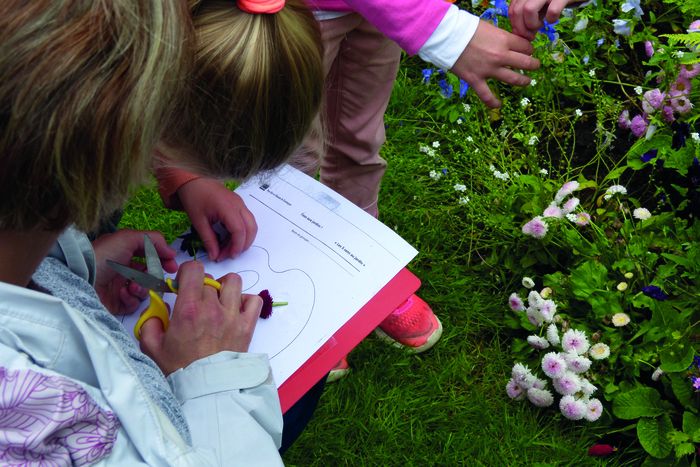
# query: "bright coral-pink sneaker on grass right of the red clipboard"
412, 325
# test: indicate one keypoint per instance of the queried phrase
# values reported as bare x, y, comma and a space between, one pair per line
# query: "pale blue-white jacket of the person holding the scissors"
229, 400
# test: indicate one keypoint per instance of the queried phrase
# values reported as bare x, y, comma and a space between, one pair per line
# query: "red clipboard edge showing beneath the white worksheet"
393, 294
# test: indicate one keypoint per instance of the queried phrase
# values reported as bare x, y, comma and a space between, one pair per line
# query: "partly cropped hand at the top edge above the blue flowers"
526, 16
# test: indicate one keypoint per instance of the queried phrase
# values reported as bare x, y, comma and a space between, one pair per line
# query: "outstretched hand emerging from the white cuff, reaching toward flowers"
494, 53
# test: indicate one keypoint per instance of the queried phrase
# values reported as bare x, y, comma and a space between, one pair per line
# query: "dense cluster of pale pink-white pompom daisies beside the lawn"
567, 367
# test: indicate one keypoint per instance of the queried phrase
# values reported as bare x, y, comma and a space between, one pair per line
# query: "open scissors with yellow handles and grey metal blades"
153, 280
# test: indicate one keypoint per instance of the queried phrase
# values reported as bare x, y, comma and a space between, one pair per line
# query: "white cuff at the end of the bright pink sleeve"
450, 38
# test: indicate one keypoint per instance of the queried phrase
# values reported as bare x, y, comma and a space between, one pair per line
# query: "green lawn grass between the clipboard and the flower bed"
447, 406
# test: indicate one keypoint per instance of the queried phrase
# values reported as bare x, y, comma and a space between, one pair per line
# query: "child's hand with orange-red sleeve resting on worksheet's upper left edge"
206, 202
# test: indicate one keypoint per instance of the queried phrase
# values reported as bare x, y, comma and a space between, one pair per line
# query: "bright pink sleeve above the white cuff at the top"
408, 22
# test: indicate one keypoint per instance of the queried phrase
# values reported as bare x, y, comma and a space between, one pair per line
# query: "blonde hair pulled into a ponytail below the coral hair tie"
256, 88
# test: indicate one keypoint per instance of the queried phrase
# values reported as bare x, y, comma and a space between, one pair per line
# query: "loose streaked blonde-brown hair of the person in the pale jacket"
85, 88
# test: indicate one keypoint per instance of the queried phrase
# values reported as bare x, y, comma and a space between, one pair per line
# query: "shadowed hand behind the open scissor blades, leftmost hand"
116, 293
